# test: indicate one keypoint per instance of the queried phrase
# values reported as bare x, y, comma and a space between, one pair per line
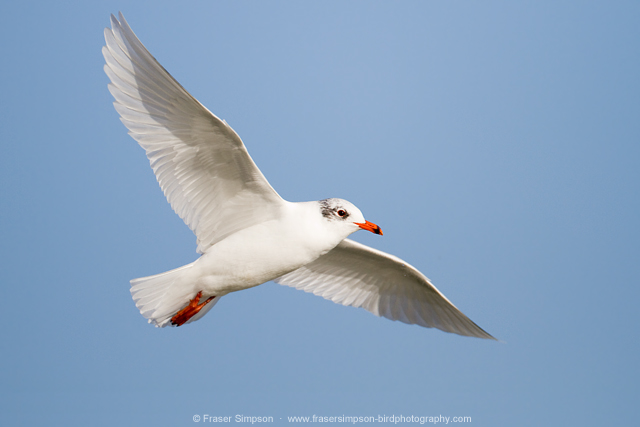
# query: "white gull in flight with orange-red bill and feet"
246, 233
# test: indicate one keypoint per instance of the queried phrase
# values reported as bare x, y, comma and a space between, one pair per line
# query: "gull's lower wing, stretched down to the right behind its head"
357, 275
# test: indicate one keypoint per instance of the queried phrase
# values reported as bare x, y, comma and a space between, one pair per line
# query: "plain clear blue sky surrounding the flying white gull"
497, 144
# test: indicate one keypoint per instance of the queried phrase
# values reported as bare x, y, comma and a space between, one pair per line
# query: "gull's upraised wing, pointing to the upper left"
202, 166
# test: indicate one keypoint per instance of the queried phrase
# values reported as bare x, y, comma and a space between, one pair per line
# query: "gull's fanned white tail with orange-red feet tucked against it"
165, 301
